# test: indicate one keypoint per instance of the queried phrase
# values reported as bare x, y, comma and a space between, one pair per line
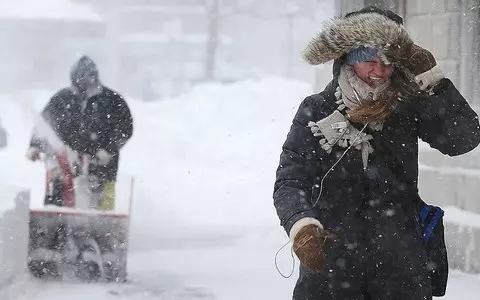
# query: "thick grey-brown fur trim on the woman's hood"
340, 35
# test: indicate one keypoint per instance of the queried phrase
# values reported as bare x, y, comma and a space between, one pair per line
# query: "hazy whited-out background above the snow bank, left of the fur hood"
155, 48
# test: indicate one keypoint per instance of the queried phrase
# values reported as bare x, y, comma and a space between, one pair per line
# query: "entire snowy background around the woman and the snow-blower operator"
213, 86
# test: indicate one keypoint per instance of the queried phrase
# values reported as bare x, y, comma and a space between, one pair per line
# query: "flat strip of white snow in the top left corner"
46, 9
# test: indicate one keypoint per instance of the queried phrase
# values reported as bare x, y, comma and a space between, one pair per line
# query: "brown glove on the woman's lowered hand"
309, 245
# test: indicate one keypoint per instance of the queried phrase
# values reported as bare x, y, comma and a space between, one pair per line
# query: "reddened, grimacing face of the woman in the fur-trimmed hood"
373, 72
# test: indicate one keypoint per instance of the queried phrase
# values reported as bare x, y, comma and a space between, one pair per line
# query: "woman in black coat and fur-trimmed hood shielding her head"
346, 188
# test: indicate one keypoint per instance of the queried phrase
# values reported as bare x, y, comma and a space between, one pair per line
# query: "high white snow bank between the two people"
208, 158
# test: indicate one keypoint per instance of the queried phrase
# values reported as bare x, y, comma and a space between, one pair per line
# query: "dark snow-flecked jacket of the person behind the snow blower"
103, 121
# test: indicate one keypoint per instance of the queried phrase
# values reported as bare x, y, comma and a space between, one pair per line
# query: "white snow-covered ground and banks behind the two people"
203, 223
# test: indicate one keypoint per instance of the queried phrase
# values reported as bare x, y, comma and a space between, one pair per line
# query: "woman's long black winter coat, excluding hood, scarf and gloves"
373, 211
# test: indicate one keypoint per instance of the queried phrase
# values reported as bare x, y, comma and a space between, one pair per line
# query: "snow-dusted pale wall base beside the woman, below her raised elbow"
452, 188
